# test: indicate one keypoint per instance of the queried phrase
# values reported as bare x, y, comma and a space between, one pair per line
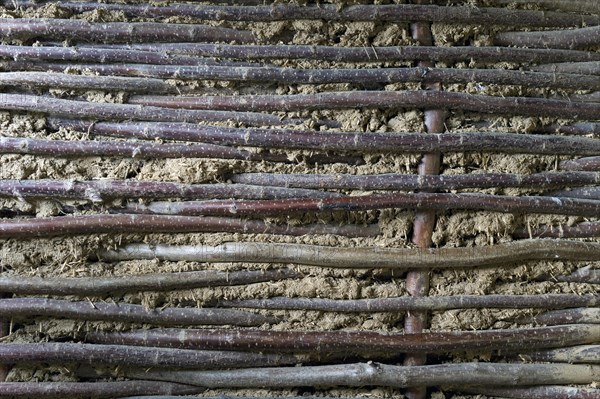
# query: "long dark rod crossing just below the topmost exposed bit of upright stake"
363, 54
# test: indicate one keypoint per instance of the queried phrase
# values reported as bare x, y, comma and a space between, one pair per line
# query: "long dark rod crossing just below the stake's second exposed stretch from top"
396, 142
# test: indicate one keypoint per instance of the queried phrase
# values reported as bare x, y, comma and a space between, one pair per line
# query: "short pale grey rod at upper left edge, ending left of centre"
79, 82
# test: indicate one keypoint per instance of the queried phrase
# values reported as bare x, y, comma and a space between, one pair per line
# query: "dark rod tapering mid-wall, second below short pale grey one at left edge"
128, 149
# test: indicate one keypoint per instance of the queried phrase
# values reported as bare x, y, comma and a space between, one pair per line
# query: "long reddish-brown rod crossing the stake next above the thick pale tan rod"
418, 201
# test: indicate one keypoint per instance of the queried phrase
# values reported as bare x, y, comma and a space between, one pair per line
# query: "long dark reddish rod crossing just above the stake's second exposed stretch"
388, 100
